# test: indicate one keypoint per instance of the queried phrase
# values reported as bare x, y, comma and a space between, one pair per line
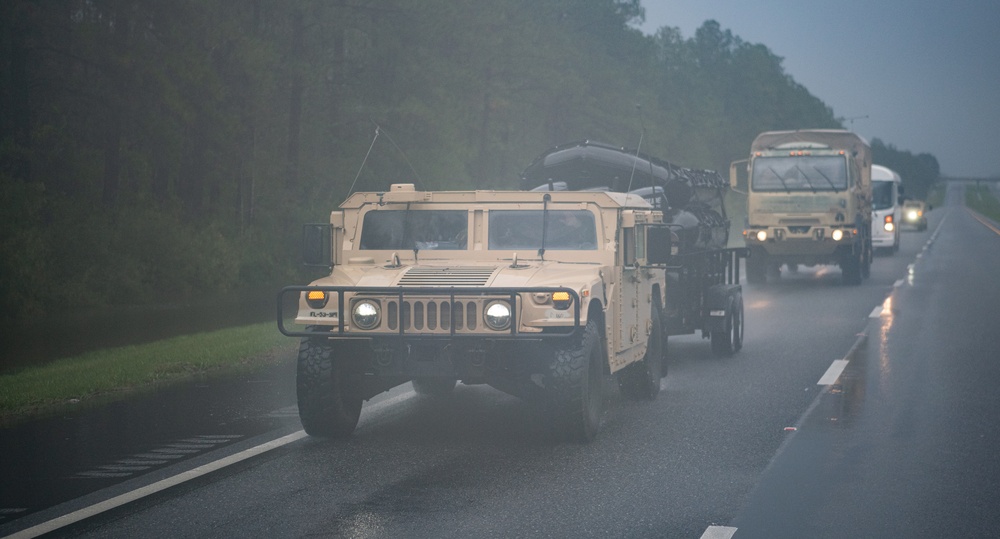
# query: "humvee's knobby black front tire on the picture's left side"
328, 389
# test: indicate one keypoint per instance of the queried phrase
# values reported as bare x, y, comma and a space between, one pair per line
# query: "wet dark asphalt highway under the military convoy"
901, 446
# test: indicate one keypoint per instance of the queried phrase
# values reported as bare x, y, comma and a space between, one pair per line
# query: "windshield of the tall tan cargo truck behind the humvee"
805, 173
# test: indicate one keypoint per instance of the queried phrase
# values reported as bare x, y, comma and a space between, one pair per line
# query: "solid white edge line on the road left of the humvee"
148, 490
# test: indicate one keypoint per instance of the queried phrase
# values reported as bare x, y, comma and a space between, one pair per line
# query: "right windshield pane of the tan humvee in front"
522, 229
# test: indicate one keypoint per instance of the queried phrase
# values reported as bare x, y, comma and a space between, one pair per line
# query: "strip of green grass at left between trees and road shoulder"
34, 391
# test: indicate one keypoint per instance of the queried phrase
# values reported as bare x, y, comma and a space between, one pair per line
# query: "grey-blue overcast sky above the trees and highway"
922, 76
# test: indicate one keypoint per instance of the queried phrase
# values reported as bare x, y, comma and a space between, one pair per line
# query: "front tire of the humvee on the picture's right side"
575, 386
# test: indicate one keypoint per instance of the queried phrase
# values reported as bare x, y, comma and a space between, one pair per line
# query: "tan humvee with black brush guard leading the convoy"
539, 294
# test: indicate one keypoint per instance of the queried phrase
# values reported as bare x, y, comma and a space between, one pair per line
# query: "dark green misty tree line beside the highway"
159, 150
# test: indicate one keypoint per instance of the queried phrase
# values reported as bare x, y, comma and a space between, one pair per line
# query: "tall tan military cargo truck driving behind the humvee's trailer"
809, 202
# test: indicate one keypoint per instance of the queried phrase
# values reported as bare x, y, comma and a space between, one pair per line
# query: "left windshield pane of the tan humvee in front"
415, 229
